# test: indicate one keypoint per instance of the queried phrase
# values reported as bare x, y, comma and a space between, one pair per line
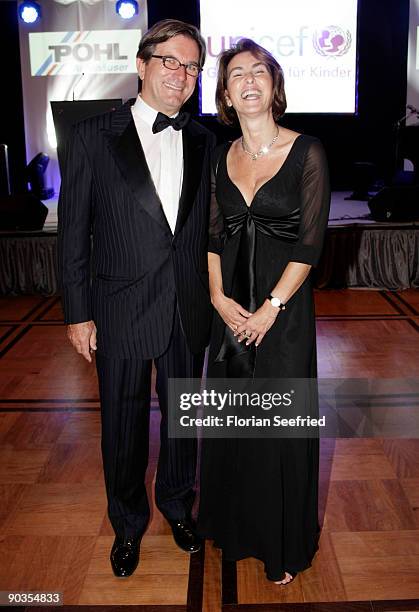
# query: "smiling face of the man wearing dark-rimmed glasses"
163, 89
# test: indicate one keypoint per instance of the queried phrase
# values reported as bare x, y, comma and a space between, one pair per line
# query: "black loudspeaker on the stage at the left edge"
22, 212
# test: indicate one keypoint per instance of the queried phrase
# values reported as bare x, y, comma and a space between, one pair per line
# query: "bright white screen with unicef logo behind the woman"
315, 43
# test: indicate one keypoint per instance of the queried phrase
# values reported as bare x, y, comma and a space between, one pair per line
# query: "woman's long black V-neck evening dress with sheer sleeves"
259, 497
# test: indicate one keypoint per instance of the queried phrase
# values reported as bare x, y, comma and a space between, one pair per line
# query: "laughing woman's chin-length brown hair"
227, 114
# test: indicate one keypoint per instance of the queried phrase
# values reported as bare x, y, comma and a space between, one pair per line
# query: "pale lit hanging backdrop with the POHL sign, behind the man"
79, 50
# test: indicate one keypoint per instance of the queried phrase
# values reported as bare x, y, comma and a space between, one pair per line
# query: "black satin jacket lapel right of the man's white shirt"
193, 156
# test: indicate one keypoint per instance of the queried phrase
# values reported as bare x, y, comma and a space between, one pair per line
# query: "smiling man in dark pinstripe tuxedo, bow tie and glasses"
133, 218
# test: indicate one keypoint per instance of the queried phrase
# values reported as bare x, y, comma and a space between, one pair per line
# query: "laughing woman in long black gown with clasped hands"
268, 219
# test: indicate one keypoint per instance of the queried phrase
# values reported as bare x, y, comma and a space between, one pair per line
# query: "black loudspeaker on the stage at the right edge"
395, 204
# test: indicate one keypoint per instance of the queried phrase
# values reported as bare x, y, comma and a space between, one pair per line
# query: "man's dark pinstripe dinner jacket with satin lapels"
119, 262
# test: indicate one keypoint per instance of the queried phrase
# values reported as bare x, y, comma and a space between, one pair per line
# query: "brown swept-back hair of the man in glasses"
166, 29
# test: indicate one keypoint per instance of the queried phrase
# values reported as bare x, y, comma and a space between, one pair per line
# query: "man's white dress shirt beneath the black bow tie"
164, 156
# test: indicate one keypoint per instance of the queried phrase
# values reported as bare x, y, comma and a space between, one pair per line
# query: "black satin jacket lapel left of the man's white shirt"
129, 156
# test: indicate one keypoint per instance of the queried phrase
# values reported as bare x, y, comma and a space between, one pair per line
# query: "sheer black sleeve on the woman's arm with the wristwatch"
315, 204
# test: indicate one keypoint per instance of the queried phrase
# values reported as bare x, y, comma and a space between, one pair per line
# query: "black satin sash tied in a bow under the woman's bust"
243, 290
